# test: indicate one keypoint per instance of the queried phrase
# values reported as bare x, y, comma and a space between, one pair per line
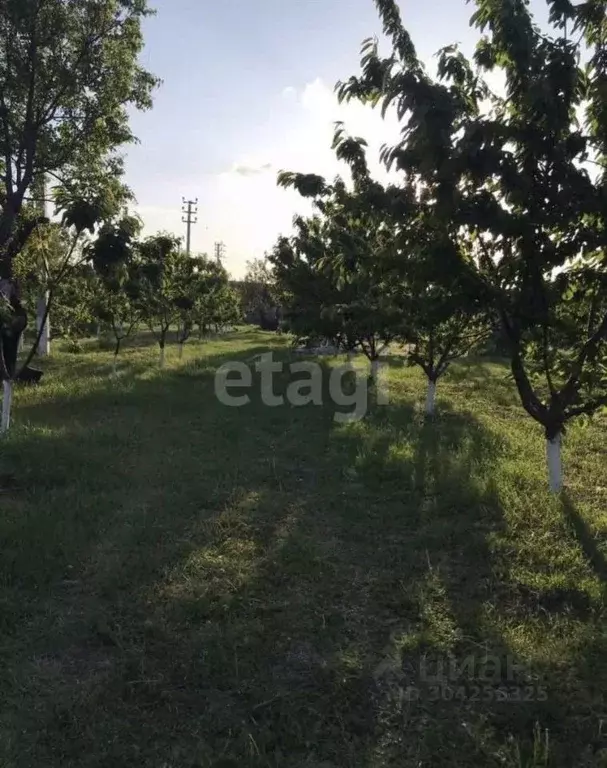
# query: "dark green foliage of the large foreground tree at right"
518, 178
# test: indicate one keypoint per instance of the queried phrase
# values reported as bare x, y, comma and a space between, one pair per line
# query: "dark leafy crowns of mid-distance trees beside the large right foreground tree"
373, 265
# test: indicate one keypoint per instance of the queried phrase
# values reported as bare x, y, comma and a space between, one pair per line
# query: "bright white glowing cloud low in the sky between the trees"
244, 207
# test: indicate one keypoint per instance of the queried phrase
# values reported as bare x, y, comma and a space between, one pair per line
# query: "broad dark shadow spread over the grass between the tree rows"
248, 586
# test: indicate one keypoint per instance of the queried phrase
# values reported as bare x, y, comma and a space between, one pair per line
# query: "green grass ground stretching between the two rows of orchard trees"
184, 584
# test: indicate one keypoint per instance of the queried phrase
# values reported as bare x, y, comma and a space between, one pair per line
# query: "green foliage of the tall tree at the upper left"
69, 73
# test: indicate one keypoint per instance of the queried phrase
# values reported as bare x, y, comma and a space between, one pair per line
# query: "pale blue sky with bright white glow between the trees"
247, 91
